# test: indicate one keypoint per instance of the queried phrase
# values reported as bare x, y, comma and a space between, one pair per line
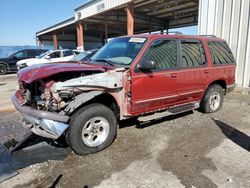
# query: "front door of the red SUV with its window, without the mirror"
158, 88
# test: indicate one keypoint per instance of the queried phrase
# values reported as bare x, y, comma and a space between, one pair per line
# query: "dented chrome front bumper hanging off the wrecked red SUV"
42, 123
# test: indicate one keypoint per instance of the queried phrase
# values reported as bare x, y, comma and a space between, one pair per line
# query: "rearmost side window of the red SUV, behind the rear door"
221, 53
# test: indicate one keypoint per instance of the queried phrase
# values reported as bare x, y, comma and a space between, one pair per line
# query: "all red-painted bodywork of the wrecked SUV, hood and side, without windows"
149, 92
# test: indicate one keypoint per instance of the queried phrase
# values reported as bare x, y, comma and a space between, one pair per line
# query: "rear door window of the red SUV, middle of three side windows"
192, 53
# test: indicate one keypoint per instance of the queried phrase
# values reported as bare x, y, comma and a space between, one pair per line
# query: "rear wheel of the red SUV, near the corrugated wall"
212, 91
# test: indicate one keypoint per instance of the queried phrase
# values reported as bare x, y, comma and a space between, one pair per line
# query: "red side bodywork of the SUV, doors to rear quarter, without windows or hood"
160, 90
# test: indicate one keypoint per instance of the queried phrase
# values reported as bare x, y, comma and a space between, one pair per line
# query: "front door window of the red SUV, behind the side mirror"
163, 53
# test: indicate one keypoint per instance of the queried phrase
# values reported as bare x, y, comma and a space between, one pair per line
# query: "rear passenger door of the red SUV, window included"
193, 71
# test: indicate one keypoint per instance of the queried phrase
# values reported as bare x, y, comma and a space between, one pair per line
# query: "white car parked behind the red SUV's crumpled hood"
47, 57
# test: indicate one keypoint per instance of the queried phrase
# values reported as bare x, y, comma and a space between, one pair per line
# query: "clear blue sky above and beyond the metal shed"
21, 19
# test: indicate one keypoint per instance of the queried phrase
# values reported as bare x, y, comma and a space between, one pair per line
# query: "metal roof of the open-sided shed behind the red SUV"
153, 15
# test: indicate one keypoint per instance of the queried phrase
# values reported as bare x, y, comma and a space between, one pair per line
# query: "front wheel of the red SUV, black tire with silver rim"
92, 128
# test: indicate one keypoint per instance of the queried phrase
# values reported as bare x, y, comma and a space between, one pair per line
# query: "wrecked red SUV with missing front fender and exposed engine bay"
129, 77
